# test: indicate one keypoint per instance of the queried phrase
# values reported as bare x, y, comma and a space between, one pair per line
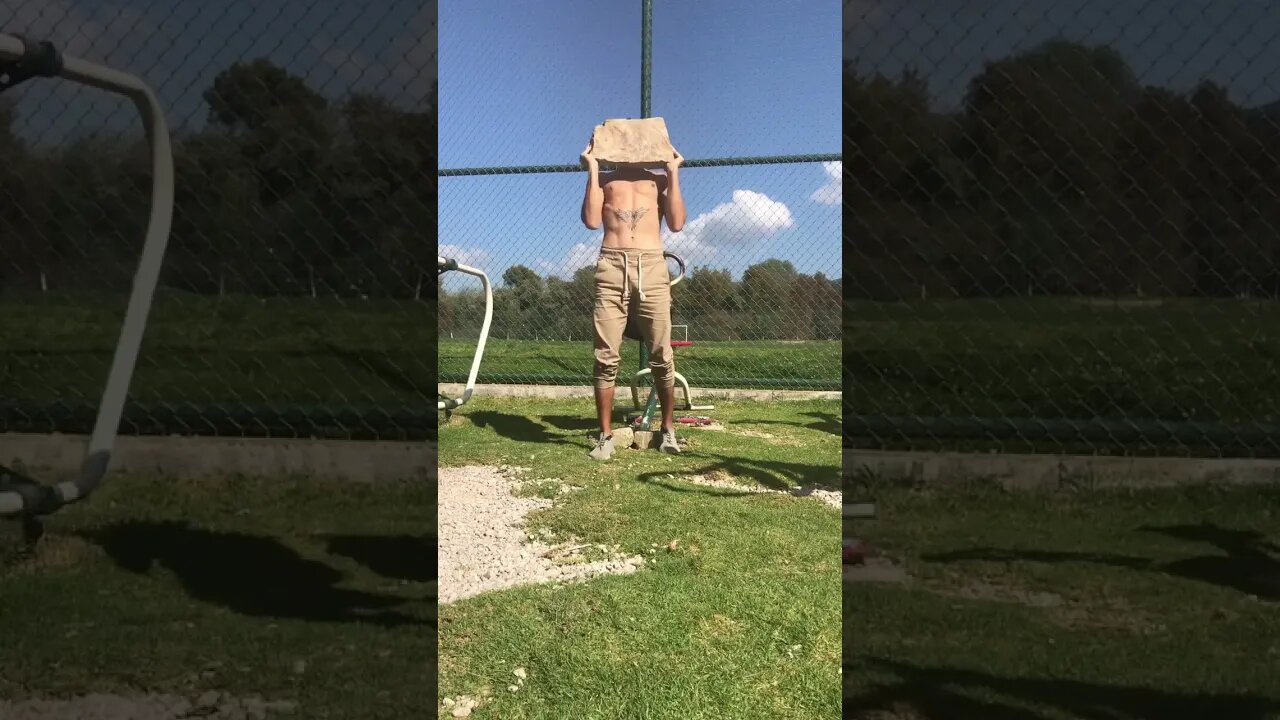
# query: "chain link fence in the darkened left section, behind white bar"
296, 295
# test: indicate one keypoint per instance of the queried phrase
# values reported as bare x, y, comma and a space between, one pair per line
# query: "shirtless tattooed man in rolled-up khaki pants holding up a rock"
632, 277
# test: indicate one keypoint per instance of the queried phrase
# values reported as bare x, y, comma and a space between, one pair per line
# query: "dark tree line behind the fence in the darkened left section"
284, 193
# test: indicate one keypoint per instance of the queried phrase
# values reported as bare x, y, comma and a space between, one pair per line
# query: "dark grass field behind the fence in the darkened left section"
225, 353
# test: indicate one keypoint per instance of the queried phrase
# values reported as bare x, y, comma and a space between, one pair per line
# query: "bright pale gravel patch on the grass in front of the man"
484, 548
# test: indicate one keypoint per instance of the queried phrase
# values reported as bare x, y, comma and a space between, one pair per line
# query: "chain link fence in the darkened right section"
1063, 229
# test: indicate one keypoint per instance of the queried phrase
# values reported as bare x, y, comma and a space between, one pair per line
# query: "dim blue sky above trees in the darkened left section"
180, 47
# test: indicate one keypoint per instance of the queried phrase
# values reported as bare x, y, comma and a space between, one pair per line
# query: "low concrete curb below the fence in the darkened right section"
1031, 472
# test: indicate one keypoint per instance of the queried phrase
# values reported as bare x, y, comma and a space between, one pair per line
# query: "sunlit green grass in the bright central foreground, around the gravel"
740, 621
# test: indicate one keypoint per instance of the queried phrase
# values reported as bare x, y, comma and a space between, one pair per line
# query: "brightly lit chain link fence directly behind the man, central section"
762, 185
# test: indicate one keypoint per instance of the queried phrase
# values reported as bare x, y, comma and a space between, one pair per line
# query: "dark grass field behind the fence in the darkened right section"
1055, 358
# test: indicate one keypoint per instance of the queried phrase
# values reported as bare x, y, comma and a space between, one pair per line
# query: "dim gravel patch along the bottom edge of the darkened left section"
102, 707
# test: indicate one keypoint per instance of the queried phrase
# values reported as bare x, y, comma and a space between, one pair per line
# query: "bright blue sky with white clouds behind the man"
524, 84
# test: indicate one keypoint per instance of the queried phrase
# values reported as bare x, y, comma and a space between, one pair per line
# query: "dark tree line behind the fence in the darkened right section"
1060, 175
